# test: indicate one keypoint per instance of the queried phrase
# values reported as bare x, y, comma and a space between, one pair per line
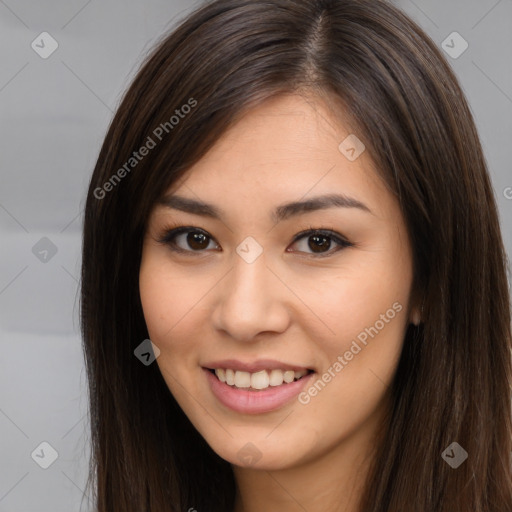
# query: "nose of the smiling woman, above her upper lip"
251, 301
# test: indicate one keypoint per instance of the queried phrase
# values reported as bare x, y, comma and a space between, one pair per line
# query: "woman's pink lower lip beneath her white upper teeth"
255, 402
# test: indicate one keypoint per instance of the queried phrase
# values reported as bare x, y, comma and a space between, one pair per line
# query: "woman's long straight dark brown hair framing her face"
373, 64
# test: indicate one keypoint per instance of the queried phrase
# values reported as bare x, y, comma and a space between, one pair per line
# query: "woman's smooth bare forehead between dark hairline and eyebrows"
285, 149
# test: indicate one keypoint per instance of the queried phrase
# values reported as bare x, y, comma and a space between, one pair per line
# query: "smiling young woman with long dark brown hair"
292, 204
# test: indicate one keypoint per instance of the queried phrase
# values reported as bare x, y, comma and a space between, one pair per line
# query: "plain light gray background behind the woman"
54, 114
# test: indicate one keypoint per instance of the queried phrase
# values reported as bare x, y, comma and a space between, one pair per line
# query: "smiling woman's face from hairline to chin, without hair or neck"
277, 274
